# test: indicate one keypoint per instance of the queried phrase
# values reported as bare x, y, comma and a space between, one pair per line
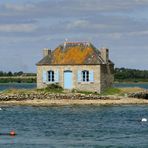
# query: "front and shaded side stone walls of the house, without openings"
103, 76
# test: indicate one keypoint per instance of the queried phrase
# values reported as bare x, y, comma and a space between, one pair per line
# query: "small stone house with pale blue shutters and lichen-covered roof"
76, 65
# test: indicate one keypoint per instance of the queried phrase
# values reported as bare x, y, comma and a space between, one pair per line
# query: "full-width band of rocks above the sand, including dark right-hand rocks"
72, 96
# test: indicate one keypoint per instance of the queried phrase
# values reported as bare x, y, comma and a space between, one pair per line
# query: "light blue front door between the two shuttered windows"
67, 79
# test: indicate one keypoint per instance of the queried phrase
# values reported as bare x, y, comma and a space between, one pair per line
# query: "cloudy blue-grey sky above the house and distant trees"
28, 26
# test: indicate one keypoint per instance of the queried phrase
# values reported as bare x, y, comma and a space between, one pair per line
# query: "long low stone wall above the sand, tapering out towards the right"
54, 96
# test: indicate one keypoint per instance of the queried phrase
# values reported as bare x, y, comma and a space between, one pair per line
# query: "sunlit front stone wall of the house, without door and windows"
84, 86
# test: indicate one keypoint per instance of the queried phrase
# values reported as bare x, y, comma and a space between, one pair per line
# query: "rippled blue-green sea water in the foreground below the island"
74, 127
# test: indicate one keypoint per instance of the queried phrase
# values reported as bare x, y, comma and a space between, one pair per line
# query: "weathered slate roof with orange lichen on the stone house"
74, 53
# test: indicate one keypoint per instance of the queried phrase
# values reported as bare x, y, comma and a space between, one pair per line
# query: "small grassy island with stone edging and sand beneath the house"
55, 95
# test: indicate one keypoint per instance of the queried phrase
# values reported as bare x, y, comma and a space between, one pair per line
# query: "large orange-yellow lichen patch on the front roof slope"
72, 55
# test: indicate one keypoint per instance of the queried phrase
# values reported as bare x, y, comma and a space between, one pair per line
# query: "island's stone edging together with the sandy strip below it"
34, 98
